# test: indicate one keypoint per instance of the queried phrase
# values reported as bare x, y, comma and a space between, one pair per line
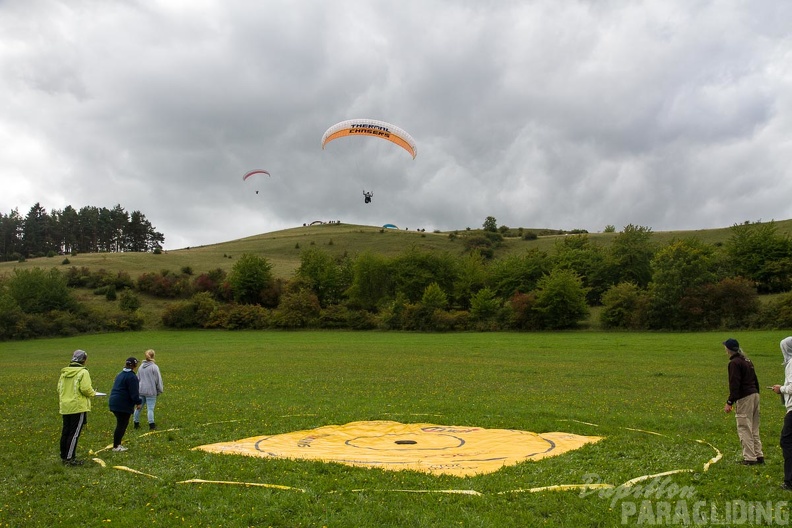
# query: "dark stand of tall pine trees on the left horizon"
69, 231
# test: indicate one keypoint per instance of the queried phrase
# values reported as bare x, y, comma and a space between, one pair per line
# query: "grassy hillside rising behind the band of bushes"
282, 248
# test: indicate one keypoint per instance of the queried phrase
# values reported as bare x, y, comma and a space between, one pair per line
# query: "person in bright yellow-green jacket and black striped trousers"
75, 391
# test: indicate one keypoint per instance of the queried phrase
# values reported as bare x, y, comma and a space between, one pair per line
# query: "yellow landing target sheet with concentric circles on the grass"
439, 449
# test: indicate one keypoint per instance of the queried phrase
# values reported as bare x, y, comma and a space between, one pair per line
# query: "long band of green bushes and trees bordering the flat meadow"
633, 282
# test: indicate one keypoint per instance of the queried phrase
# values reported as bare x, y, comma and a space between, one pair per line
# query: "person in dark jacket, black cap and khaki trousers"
744, 400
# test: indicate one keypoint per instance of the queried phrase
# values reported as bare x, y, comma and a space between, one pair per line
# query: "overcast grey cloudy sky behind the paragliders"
670, 114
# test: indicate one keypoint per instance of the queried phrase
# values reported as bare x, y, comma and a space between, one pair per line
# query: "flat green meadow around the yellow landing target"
652, 397
